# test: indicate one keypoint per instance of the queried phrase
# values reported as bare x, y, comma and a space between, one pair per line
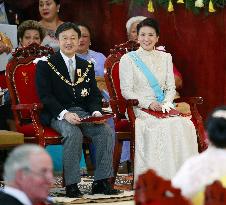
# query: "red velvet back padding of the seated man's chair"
24, 79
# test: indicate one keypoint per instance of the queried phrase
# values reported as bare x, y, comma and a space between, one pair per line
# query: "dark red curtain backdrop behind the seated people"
196, 42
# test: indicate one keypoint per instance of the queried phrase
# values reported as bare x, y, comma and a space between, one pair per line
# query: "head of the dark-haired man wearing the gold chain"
68, 35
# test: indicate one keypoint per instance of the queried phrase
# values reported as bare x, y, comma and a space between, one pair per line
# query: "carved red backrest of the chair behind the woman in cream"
112, 76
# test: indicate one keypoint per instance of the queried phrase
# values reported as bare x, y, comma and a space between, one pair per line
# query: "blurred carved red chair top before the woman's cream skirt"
152, 189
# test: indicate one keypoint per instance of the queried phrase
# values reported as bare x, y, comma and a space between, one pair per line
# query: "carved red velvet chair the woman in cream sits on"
125, 129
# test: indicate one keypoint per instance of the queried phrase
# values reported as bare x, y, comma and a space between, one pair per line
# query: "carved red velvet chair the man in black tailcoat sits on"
26, 105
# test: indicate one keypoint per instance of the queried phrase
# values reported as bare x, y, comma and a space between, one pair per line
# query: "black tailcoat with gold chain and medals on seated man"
57, 95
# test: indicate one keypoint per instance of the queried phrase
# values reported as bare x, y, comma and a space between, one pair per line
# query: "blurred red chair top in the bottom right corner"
215, 194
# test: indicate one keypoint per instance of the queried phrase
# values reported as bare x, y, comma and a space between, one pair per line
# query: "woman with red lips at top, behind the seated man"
49, 12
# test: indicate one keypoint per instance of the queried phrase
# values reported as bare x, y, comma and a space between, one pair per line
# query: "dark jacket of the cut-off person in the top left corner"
13, 15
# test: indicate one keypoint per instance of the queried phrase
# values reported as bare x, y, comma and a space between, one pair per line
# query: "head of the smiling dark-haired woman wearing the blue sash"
148, 33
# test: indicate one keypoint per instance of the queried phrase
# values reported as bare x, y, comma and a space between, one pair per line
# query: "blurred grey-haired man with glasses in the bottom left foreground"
28, 176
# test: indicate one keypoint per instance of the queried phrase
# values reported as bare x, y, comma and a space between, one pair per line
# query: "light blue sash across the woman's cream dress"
148, 74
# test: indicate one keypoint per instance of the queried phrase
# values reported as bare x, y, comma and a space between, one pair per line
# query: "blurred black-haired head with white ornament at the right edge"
216, 127
